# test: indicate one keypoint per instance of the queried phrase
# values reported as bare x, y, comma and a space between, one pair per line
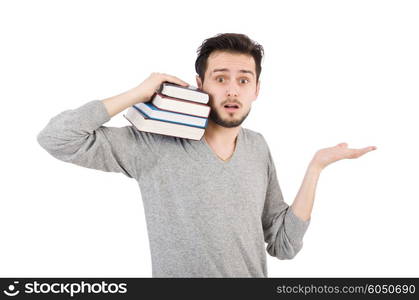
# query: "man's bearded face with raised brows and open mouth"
230, 80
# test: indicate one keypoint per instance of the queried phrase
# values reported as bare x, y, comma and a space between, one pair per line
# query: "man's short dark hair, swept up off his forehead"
229, 42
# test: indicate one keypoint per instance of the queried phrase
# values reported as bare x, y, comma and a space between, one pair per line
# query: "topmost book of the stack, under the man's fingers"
189, 93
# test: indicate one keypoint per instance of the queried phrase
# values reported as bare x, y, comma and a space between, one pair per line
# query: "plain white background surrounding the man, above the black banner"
334, 71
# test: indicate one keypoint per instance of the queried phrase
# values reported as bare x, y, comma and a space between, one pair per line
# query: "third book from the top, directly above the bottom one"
153, 112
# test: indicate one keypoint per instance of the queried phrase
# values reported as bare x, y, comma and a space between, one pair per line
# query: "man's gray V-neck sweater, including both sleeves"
205, 217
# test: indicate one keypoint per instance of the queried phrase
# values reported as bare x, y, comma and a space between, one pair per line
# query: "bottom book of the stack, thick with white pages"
142, 123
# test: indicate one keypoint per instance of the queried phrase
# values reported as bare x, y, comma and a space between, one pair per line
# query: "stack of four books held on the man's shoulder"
173, 110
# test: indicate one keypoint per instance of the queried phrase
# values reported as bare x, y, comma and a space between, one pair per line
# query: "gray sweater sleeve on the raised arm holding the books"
77, 136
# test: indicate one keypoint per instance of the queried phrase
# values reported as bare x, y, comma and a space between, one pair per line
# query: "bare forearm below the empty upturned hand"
303, 202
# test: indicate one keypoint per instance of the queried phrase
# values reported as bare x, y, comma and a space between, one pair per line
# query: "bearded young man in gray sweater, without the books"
211, 204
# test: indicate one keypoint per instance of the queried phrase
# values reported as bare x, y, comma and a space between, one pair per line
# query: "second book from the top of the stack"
182, 106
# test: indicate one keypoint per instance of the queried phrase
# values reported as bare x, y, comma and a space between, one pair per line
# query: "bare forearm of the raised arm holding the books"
118, 103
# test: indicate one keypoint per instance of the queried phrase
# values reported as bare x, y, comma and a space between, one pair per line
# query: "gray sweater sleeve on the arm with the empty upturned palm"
283, 230
